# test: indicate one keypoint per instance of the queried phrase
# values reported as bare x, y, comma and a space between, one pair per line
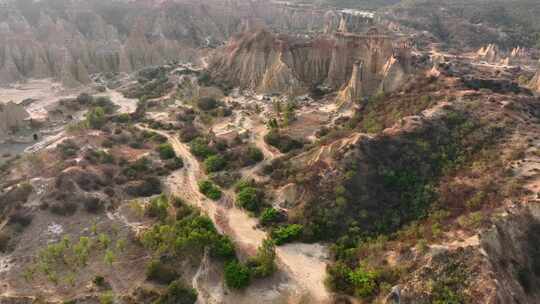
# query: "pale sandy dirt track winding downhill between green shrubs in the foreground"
305, 264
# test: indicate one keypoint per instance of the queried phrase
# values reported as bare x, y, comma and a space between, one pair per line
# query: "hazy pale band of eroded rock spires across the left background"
72, 39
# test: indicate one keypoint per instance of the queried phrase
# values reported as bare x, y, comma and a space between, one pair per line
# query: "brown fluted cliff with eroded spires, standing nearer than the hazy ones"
269, 63
